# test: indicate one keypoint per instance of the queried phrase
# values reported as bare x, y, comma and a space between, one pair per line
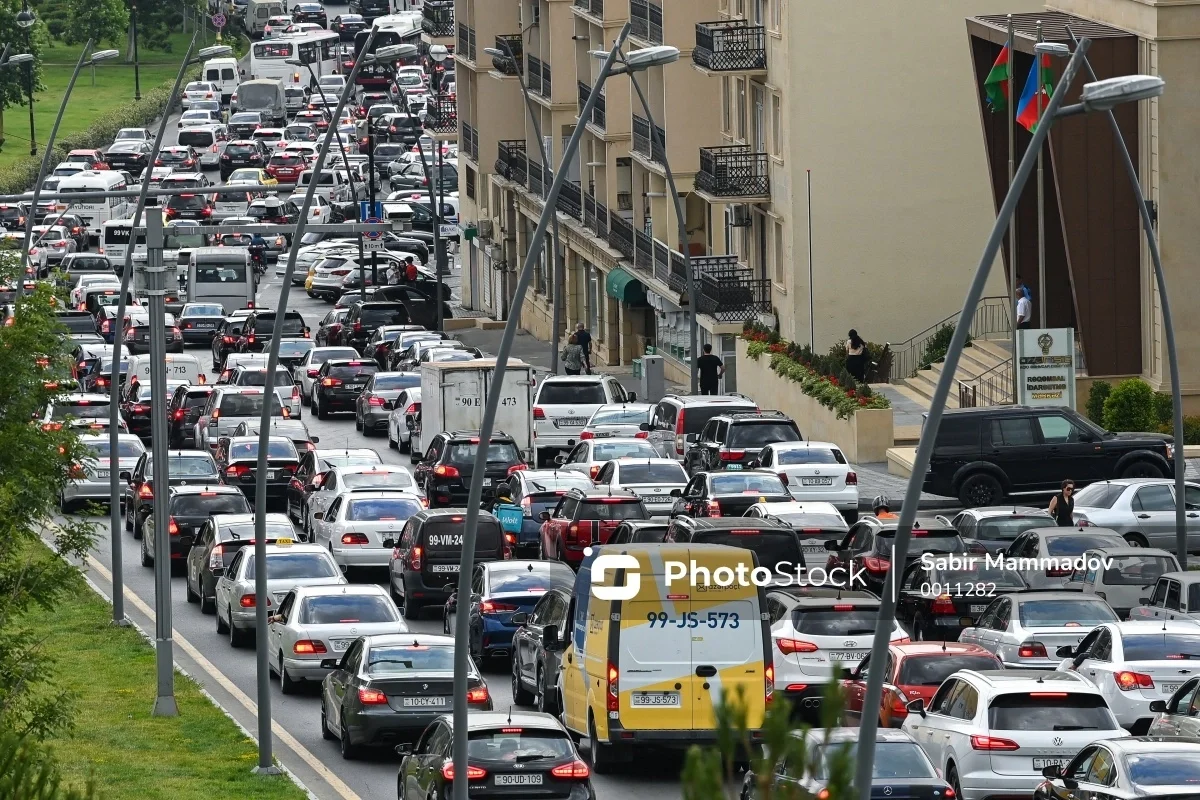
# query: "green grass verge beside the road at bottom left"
200, 755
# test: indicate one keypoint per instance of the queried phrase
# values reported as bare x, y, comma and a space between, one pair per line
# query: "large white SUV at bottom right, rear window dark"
983, 729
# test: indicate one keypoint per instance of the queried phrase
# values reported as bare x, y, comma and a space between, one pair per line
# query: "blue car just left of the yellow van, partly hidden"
499, 591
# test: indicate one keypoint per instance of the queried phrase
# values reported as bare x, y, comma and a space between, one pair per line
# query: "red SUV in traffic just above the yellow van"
586, 518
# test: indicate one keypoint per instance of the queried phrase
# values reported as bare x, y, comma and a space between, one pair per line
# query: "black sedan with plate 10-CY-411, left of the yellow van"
389, 688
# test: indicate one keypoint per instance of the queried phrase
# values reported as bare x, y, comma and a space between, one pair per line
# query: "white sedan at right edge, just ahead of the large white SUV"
1133, 665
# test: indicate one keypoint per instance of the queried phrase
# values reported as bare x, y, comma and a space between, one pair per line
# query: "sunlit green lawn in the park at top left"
115, 87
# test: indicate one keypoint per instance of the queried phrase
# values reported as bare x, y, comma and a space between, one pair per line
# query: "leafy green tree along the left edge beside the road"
35, 465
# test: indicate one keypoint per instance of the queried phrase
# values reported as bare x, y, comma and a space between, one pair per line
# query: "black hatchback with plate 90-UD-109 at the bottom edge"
509, 755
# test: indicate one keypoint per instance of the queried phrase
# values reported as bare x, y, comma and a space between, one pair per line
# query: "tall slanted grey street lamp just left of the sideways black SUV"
1127, 89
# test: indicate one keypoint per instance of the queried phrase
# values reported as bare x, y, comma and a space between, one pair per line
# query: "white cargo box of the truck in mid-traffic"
454, 395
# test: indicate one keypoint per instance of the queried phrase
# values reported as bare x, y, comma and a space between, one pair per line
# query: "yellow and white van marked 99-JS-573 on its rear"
647, 663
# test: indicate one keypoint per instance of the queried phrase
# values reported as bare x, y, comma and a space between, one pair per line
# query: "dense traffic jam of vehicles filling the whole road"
1034, 654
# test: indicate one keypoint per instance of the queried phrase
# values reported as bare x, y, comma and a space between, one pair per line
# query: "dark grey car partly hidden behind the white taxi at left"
214, 548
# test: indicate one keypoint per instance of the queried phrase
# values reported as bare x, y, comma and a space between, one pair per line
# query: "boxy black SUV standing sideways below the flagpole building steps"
983, 454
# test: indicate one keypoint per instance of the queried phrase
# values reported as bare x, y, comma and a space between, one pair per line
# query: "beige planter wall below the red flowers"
865, 437
